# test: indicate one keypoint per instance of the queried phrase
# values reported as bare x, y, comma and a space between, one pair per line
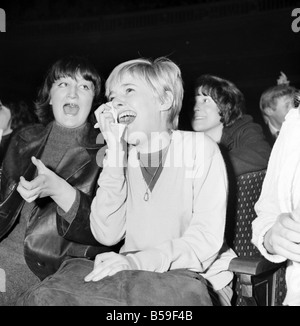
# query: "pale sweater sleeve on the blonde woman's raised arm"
108, 209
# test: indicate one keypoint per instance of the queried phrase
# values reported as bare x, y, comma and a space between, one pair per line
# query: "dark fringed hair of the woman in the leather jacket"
67, 67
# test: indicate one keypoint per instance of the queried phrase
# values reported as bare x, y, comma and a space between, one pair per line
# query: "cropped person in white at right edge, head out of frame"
276, 230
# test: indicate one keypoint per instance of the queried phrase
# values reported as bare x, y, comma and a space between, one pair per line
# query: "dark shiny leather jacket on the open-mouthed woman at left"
44, 248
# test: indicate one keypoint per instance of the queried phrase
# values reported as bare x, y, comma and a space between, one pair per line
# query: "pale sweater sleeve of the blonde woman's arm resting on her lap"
199, 245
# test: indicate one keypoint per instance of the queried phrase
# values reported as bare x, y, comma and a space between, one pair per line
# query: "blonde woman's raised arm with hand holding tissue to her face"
108, 209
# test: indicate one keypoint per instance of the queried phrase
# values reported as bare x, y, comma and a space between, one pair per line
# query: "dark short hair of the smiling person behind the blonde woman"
229, 99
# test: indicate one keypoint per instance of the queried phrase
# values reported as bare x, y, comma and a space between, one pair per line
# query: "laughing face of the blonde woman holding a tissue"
137, 106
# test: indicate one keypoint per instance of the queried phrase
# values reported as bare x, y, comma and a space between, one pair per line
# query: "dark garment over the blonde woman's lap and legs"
126, 288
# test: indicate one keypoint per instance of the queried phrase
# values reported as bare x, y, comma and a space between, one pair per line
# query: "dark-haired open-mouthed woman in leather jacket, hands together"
50, 168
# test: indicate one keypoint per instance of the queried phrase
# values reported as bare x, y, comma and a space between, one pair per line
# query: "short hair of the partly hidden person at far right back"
270, 96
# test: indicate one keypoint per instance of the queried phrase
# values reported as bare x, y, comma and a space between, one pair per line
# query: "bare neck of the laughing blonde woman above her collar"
155, 142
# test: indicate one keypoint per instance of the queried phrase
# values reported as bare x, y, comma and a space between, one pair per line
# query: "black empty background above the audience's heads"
247, 42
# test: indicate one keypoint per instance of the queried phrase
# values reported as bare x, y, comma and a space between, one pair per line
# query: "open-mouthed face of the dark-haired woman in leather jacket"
71, 101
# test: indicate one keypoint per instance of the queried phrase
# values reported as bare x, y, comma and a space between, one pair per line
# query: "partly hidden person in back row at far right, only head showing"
275, 102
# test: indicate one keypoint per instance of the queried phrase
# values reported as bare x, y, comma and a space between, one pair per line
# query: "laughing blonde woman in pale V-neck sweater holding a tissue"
161, 190
